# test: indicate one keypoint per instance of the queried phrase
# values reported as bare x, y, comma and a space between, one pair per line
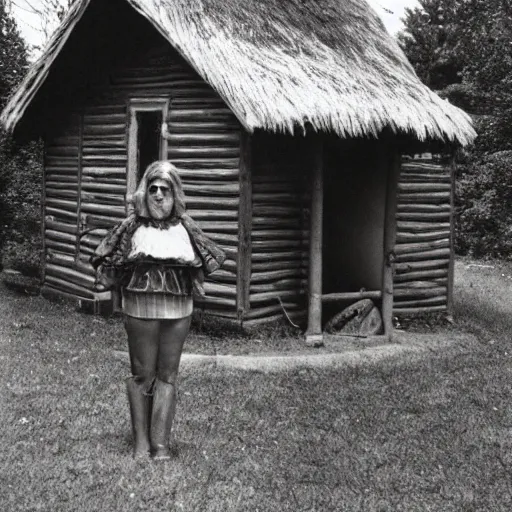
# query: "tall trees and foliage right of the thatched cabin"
463, 49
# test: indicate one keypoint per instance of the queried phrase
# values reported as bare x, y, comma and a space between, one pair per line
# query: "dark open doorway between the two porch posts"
355, 178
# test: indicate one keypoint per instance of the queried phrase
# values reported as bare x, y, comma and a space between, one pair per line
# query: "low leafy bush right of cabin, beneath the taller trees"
484, 206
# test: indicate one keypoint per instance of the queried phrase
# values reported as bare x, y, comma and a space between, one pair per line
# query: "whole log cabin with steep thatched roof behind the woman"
288, 121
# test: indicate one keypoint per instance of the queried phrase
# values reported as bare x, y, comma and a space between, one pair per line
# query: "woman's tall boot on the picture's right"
162, 415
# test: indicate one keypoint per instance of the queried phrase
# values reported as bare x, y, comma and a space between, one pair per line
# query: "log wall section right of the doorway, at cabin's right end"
424, 233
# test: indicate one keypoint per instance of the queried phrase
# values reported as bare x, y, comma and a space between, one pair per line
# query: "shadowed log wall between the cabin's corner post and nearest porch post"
280, 236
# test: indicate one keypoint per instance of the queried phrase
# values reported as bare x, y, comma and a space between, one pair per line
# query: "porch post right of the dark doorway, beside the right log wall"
393, 175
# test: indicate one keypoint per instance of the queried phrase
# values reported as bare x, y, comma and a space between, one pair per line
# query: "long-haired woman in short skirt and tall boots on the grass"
158, 256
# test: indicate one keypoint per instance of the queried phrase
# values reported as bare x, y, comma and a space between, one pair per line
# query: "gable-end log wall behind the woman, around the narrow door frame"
86, 169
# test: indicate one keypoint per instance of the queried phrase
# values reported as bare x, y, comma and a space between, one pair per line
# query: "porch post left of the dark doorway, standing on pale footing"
314, 336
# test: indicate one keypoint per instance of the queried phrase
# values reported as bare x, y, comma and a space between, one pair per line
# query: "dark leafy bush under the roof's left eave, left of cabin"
20, 203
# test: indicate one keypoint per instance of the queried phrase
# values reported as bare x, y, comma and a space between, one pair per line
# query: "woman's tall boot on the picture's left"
140, 410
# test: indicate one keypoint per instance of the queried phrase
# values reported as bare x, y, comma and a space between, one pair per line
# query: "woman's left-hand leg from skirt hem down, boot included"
143, 338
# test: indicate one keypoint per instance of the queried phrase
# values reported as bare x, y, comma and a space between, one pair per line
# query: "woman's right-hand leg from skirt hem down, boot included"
172, 338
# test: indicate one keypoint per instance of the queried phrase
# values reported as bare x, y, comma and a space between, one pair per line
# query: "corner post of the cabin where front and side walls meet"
243, 278
